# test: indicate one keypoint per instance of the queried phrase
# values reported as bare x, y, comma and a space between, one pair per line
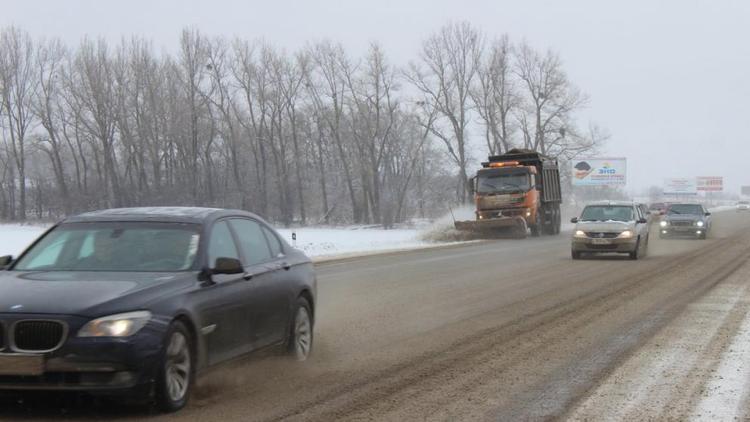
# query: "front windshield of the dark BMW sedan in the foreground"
115, 246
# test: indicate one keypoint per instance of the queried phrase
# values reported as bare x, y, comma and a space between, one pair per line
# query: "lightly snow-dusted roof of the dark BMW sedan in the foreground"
196, 215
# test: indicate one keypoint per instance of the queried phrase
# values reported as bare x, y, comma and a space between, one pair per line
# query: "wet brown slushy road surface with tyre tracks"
502, 330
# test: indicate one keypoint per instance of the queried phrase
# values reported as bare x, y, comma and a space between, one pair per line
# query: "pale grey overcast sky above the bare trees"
668, 80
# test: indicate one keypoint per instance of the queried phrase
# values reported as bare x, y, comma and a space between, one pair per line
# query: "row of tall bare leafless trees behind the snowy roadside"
313, 136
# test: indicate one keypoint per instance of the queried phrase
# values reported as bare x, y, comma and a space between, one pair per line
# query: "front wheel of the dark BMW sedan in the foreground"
176, 374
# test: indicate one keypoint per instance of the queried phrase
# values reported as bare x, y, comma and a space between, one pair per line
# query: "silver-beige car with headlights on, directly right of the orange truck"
613, 226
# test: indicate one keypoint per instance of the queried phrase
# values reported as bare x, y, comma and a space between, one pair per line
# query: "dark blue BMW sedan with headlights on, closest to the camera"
137, 301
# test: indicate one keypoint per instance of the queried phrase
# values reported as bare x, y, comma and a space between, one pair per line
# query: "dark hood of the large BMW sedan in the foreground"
86, 293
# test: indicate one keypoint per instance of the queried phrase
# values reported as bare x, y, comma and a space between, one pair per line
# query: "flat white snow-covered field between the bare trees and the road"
315, 242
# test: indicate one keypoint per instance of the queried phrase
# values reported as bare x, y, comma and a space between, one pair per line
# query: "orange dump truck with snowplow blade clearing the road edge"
520, 191
